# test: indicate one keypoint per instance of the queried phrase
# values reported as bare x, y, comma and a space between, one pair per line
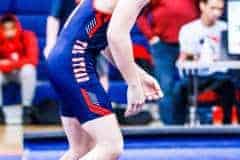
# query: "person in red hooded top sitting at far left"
18, 60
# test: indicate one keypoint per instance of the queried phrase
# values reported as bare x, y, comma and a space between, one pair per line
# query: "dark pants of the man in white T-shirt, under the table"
219, 83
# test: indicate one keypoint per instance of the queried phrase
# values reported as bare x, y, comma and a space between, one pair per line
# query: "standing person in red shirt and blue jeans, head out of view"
161, 22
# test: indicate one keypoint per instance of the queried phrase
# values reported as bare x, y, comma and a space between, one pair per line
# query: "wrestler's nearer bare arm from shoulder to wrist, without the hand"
119, 40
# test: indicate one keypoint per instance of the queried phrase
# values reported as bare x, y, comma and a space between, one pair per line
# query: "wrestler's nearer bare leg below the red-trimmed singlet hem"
108, 138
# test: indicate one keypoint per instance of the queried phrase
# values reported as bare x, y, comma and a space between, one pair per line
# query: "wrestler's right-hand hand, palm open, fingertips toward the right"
151, 88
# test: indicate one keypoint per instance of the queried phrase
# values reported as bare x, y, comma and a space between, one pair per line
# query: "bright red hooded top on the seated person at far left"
21, 50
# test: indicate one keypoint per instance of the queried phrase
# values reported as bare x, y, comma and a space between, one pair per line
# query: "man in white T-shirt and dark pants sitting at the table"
200, 41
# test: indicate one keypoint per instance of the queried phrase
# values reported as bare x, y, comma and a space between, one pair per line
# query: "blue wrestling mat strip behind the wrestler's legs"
175, 143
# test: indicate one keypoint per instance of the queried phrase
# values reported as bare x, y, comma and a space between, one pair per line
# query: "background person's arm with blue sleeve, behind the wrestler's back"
53, 26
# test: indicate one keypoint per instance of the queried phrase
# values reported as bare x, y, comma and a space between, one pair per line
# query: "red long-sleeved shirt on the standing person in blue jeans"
167, 17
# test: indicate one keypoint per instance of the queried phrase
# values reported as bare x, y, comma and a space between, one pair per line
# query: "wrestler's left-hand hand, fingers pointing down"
135, 100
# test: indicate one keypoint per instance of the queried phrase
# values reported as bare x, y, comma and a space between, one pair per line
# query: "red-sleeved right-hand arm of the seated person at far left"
31, 50
